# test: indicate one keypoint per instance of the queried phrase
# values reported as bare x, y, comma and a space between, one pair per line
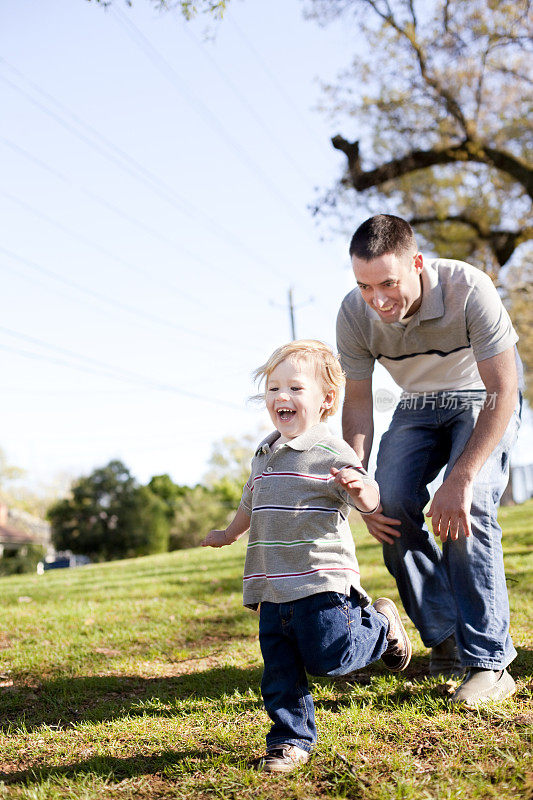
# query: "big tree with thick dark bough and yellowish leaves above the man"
439, 101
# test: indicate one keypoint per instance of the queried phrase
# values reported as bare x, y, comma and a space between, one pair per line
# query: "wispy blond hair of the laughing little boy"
327, 367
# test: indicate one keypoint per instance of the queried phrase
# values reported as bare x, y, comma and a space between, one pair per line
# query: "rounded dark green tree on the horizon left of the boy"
109, 516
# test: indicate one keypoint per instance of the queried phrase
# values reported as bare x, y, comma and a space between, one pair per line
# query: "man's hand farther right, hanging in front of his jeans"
450, 509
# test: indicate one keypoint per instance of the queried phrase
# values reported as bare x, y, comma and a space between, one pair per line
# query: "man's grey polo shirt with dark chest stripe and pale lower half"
461, 321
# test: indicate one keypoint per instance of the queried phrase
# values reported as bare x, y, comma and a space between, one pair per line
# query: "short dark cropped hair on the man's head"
382, 234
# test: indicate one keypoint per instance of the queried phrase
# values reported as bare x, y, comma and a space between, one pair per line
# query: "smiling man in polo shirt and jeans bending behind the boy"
440, 329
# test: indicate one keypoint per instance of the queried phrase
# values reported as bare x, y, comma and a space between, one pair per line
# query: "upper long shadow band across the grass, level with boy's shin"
64, 702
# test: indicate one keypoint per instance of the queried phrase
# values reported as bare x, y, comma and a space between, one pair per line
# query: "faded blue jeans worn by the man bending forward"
461, 589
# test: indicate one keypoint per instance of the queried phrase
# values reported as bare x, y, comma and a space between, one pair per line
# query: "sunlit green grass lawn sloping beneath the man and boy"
140, 679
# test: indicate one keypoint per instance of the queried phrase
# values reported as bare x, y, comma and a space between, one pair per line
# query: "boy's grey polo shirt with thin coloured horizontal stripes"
300, 542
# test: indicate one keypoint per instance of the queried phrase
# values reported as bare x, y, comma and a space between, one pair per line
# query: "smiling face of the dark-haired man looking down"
390, 284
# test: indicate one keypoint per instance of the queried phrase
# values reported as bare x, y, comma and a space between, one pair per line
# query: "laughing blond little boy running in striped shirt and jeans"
300, 565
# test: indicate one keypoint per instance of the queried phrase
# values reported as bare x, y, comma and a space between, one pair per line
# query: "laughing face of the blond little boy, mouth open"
295, 398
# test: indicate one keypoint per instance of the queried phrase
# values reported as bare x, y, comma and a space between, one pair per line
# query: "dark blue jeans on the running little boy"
324, 634
